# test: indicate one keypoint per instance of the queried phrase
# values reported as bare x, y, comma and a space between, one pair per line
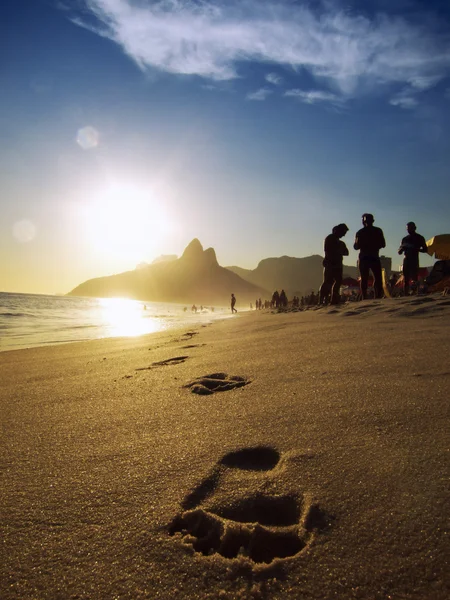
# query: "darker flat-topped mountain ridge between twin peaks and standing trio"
297, 276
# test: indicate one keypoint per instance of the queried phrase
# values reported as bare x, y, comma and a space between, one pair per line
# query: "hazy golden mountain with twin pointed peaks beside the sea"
195, 277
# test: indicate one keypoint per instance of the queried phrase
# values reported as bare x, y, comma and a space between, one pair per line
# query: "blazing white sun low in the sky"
126, 222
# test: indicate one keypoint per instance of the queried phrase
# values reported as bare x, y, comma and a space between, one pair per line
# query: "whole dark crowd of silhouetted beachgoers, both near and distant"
369, 240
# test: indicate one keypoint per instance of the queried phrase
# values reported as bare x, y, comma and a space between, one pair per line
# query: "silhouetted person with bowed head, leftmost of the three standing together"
335, 250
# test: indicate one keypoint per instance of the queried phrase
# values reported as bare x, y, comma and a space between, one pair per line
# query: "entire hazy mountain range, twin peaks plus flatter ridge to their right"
196, 277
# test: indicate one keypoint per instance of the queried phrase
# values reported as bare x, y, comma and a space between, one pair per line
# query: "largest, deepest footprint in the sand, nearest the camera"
254, 526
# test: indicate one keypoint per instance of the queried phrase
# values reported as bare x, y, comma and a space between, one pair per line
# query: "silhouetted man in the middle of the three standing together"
369, 240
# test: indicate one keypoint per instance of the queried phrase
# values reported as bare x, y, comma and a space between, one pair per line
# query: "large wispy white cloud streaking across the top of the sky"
345, 52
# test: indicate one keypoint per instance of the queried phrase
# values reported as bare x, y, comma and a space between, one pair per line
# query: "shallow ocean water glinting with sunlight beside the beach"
29, 320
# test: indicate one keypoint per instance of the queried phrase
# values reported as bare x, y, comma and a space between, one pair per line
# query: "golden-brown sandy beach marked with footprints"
268, 455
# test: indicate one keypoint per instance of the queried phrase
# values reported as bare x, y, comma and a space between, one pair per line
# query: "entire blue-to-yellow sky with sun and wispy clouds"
130, 127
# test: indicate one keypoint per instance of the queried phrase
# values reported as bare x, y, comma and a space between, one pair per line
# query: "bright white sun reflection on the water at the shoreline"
128, 318
